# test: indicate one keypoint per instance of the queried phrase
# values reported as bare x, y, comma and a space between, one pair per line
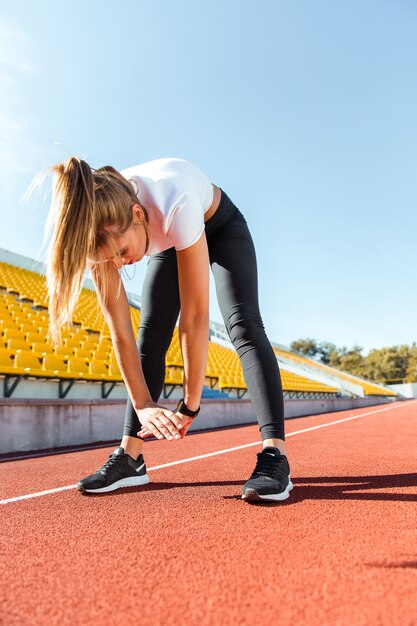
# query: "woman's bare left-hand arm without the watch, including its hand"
115, 306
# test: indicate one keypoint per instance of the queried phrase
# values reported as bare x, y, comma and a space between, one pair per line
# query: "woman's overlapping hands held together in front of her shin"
162, 423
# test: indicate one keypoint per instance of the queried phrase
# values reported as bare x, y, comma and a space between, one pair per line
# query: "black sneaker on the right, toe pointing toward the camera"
270, 479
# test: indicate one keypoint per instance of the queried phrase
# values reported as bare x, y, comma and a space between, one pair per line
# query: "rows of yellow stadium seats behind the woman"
87, 353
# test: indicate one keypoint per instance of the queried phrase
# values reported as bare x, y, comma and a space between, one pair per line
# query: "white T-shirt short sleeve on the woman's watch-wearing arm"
184, 222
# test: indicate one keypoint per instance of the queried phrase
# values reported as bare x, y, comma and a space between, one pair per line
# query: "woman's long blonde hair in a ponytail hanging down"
89, 209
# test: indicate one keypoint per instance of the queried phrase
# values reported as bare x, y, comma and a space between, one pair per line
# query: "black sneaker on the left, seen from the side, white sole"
119, 471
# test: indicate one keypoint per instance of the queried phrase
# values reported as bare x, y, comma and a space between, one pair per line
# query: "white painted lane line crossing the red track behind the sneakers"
205, 456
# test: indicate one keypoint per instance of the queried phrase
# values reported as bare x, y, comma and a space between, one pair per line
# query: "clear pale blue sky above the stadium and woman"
303, 112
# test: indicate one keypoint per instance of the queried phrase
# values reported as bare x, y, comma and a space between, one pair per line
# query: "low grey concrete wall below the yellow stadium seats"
42, 424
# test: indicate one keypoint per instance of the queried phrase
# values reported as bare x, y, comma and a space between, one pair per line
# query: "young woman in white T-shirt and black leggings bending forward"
169, 211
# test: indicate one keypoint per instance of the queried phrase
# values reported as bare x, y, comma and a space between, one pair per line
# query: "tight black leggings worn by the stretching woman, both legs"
233, 263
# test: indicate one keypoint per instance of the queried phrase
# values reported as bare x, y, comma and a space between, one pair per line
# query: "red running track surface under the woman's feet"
186, 550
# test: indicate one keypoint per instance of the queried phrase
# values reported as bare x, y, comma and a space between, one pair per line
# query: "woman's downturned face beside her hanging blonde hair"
132, 244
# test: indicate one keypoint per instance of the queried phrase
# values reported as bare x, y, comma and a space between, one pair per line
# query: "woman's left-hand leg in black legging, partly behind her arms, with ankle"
160, 306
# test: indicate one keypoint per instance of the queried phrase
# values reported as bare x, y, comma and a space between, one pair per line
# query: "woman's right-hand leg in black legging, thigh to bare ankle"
233, 262
